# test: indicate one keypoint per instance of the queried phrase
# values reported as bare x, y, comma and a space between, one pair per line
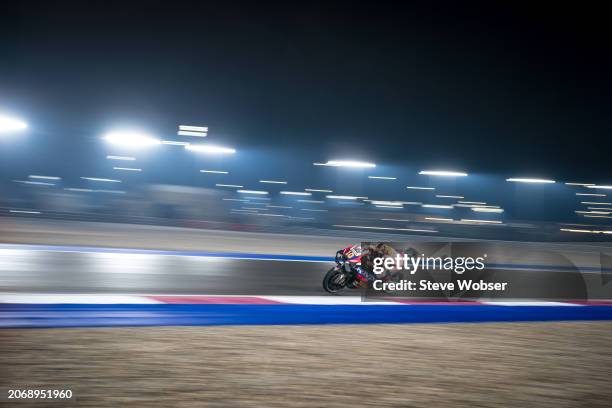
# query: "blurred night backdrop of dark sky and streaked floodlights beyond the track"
493, 92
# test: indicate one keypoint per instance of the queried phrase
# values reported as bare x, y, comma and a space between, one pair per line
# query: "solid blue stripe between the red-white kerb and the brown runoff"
78, 315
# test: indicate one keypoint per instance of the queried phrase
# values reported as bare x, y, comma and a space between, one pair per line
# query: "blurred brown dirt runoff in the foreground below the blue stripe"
452, 365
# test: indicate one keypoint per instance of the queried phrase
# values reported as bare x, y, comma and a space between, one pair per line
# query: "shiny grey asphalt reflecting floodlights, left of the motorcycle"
86, 272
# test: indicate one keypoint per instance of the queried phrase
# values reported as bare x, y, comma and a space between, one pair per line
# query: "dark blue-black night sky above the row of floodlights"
489, 89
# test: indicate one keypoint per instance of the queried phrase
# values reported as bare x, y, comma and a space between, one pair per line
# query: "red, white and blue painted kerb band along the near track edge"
36, 310
